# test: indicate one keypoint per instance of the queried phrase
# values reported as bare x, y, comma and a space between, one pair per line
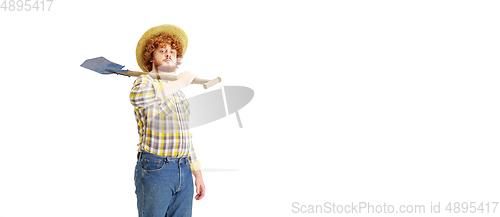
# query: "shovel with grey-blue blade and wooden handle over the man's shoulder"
105, 67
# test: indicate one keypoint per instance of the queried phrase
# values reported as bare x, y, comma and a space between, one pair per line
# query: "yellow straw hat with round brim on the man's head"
167, 28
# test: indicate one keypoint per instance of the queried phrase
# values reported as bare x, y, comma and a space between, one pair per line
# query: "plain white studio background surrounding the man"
355, 101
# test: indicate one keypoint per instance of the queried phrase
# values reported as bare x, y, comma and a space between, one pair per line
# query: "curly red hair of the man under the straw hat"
161, 40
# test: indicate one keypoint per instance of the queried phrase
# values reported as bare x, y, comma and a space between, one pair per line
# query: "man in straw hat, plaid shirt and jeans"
166, 158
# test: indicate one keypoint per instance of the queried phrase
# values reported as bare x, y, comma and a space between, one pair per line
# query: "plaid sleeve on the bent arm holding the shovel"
143, 94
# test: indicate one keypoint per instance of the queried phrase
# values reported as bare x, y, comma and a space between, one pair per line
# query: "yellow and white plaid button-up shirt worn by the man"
162, 123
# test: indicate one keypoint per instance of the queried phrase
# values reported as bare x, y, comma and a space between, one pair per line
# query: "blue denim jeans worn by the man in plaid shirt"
164, 186
